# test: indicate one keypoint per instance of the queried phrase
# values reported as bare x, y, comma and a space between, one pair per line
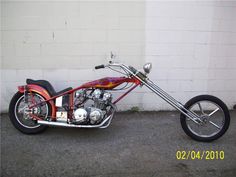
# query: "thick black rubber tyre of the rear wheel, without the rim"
19, 125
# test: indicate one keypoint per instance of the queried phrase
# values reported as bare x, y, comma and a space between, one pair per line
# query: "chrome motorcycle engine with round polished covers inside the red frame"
91, 114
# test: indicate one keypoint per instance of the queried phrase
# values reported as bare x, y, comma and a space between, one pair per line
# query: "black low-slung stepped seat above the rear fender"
45, 84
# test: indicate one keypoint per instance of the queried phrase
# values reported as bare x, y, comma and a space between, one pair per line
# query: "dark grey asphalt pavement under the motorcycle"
136, 144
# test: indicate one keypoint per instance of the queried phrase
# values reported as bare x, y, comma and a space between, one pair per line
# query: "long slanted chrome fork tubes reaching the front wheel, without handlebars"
169, 99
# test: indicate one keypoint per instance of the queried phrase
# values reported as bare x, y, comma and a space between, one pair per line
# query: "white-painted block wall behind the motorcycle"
191, 44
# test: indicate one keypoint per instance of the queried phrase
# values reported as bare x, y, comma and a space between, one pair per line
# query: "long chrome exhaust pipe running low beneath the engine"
61, 124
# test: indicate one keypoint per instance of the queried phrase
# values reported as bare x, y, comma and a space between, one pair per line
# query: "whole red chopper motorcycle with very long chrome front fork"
37, 105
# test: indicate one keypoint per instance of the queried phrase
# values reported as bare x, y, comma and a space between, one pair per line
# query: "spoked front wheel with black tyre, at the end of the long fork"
214, 115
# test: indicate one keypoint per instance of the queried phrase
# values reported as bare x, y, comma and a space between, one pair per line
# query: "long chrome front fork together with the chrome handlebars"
158, 91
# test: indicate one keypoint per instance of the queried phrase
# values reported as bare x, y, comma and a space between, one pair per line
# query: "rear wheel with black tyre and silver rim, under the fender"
19, 112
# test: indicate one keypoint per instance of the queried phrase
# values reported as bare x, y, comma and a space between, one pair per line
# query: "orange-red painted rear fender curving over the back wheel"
41, 91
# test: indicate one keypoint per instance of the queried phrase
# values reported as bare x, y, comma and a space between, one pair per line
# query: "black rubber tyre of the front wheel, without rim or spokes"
217, 101
